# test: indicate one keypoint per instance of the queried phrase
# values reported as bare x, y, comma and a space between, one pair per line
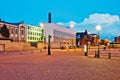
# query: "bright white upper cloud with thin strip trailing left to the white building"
95, 19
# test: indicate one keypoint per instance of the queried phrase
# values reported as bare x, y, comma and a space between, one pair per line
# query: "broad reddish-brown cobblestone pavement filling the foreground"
58, 66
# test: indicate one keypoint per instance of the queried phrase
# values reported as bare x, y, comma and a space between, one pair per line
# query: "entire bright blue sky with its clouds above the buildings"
63, 11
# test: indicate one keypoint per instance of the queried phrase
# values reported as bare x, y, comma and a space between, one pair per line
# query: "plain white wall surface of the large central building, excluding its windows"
49, 29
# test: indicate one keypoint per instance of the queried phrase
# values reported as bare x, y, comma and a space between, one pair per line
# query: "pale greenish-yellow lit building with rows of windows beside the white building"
34, 34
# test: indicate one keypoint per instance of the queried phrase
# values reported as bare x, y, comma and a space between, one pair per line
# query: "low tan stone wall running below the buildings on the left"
19, 45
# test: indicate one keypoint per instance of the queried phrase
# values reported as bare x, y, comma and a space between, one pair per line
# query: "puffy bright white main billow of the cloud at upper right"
101, 19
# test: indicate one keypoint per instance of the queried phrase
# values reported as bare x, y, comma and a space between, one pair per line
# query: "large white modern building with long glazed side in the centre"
61, 36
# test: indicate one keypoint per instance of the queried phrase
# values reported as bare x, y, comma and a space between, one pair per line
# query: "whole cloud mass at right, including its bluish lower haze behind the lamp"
110, 24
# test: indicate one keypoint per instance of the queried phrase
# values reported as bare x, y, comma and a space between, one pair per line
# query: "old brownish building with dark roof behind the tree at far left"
17, 30
